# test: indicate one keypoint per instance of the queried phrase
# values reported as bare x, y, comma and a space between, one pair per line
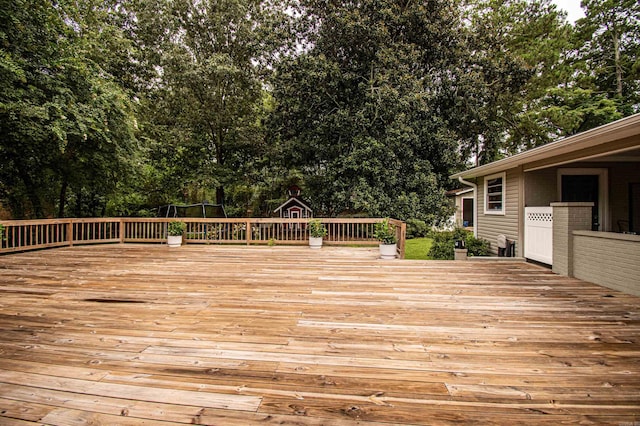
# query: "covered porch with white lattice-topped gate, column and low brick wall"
590, 225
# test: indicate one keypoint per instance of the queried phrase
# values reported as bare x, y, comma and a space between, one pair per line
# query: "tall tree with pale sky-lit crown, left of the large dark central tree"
208, 91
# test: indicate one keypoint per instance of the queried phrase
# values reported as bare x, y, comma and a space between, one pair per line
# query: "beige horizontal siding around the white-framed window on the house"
490, 226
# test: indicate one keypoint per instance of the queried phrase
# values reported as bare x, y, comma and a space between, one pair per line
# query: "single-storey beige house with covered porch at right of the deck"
573, 204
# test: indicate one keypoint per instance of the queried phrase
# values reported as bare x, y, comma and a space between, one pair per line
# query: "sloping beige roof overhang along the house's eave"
617, 137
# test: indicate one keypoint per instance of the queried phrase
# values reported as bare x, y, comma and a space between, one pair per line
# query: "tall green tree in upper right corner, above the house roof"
599, 75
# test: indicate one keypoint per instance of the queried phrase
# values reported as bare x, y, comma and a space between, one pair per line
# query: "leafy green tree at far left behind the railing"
64, 122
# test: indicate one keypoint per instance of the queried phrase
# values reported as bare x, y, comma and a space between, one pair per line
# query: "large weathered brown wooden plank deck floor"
226, 335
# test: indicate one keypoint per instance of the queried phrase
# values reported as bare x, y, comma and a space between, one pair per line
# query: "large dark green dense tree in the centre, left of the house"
358, 113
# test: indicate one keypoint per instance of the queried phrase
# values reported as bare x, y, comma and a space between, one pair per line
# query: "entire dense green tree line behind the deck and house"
113, 107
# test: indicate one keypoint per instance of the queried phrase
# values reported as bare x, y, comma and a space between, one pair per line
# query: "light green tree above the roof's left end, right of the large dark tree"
517, 53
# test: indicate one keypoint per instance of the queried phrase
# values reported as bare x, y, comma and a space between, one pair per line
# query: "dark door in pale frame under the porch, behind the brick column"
586, 185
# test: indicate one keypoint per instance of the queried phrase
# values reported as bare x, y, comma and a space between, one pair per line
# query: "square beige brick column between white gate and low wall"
568, 217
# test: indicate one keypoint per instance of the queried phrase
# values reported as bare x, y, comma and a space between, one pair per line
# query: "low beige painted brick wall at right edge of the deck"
618, 260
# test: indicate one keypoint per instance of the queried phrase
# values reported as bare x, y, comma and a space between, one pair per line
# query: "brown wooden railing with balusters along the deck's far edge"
40, 234
